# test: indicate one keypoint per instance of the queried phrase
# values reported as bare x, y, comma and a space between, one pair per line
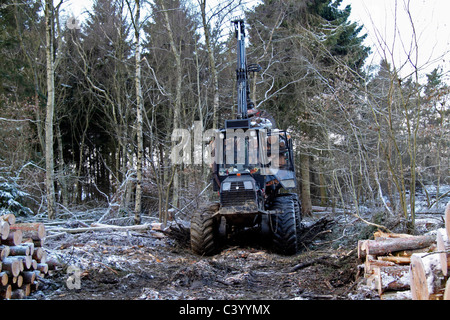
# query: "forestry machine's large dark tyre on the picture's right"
284, 226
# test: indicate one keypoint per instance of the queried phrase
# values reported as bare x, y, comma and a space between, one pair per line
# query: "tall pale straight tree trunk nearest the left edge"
49, 166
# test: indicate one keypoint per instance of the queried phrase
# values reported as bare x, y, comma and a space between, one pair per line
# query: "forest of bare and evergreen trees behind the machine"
87, 110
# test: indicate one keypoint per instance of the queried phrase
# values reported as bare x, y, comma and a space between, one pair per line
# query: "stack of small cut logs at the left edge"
22, 257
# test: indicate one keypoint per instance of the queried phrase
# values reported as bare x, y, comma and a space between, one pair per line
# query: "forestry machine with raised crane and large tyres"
253, 172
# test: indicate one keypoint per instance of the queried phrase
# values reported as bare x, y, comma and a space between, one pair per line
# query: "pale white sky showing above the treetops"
389, 30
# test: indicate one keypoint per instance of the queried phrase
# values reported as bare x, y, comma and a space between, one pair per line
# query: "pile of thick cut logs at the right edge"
400, 262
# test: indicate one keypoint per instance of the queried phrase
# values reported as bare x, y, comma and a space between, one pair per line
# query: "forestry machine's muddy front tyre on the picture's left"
204, 230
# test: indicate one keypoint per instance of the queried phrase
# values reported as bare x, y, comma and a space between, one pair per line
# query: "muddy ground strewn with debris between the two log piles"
133, 265
